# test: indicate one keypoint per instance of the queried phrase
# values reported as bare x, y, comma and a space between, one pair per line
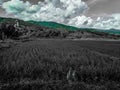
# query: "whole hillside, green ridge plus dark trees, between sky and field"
29, 29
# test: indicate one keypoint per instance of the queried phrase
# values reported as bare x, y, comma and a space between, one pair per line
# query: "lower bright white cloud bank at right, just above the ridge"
103, 22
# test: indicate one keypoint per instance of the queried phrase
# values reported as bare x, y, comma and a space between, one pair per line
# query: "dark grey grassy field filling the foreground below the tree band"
44, 65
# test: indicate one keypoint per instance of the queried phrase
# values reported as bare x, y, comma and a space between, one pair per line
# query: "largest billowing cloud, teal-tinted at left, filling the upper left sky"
49, 10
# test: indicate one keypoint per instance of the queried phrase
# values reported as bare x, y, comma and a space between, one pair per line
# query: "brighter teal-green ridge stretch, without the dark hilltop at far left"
58, 25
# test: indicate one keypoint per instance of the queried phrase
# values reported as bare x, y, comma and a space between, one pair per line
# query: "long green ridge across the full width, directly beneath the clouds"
55, 25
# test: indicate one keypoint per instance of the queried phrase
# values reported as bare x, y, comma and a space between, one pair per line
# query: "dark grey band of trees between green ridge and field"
29, 31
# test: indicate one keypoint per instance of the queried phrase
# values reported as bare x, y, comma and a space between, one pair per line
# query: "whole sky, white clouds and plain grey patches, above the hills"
103, 14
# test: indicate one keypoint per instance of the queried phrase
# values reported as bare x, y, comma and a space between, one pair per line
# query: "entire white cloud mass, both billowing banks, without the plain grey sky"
70, 12
